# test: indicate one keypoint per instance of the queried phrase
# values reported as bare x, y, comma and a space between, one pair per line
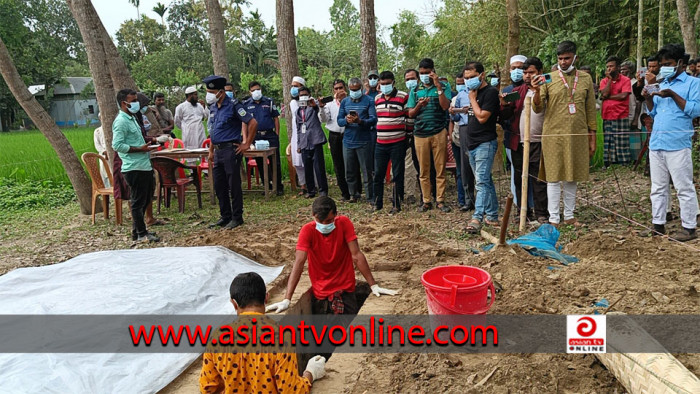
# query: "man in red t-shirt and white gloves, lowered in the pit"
330, 244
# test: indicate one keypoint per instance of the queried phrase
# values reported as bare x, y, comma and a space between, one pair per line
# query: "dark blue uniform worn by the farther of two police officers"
265, 113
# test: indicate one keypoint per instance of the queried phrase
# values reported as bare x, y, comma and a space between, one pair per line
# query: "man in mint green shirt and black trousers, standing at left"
128, 140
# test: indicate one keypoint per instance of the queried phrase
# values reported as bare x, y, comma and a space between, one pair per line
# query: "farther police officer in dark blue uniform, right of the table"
266, 115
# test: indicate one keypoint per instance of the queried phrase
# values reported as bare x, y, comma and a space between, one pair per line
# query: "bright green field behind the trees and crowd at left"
27, 155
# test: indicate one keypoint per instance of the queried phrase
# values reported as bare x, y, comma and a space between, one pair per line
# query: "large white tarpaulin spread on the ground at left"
162, 281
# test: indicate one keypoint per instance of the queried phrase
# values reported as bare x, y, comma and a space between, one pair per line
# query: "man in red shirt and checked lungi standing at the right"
615, 90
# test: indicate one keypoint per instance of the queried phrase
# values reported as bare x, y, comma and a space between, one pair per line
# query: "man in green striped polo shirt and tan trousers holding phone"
428, 104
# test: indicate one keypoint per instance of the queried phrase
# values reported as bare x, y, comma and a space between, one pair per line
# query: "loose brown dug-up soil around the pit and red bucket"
640, 275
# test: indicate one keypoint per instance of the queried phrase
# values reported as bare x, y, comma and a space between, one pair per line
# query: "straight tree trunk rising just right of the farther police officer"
287, 52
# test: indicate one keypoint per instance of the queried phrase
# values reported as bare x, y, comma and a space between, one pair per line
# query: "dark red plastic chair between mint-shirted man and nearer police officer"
167, 168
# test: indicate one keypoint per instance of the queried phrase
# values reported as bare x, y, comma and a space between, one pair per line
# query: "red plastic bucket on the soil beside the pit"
458, 290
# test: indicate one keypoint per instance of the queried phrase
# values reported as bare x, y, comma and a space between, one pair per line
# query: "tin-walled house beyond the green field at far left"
73, 102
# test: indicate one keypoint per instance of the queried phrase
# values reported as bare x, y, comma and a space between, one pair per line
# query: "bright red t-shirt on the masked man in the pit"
330, 262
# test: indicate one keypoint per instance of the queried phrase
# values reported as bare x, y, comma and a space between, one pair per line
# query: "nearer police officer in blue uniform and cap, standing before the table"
232, 130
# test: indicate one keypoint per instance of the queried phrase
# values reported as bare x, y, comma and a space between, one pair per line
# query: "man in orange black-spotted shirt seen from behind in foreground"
254, 369
